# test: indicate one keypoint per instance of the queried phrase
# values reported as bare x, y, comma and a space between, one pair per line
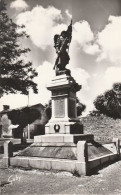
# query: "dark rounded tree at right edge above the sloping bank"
110, 102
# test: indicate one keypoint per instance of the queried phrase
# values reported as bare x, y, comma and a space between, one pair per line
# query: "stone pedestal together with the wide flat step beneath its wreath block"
64, 127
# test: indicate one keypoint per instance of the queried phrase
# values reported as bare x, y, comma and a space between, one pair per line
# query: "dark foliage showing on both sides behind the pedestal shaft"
80, 108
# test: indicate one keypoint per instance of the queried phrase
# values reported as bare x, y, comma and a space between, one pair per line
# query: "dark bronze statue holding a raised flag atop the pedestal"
61, 44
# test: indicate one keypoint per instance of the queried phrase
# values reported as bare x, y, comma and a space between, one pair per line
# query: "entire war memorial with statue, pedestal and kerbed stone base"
64, 147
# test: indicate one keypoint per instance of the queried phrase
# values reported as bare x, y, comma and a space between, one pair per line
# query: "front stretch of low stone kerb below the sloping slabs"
72, 166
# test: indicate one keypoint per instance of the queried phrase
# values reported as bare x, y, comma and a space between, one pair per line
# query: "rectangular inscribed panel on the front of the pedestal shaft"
59, 105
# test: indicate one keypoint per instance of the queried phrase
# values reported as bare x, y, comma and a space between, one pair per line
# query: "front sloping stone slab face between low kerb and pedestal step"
48, 151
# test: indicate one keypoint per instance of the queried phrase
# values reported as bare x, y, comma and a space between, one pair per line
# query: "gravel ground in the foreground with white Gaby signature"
17, 181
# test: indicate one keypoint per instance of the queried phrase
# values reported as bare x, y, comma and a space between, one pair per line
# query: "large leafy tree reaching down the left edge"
15, 74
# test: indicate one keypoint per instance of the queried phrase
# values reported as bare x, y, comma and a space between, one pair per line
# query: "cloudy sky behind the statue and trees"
95, 49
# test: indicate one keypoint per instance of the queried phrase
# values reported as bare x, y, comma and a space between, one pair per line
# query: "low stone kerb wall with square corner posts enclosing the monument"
86, 159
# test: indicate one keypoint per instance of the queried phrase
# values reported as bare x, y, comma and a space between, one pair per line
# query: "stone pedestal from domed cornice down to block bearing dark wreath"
64, 114
